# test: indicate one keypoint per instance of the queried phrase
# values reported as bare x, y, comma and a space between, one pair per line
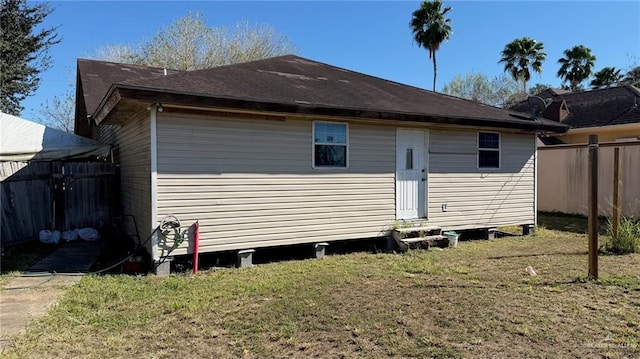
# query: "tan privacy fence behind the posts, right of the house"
563, 176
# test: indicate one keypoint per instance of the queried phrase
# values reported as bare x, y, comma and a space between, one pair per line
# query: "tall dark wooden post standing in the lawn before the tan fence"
593, 206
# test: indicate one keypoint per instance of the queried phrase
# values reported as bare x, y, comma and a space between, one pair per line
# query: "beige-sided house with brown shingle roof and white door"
288, 150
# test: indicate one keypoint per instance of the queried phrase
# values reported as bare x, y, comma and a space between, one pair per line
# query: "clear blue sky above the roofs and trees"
372, 37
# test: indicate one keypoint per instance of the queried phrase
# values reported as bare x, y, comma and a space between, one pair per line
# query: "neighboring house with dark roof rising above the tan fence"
611, 113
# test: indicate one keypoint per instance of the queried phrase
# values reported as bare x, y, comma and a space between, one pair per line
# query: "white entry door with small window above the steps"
411, 174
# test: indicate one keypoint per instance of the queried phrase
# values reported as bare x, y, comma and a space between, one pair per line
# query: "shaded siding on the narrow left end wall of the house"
132, 141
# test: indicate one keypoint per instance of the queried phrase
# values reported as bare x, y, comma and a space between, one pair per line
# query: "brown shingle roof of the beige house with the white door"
291, 84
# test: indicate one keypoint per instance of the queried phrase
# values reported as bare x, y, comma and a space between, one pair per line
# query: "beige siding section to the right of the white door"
480, 198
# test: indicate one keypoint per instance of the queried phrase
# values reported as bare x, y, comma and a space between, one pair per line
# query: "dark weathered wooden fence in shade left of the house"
54, 195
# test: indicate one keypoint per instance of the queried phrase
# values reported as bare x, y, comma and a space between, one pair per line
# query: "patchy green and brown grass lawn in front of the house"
472, 301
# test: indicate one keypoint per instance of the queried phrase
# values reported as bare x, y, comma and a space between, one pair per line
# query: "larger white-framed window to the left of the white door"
330, 144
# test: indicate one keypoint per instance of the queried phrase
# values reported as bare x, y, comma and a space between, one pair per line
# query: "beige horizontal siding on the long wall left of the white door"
250, 183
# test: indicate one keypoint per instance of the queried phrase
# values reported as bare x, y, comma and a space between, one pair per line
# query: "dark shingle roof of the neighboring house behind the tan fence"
593, 108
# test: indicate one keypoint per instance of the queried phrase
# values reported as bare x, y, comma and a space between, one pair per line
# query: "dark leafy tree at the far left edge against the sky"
24, 51
